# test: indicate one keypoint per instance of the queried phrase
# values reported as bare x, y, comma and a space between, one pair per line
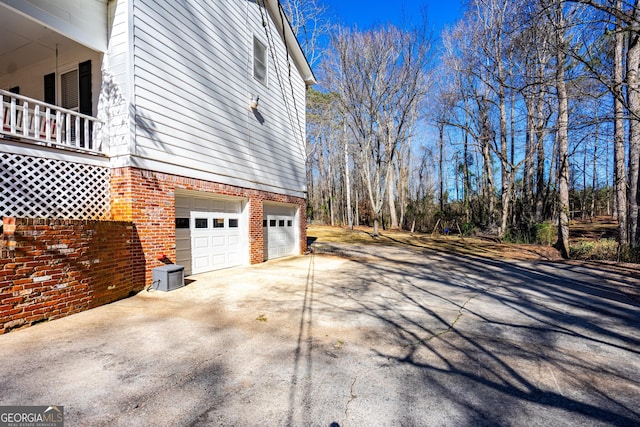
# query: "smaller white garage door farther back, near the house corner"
280, 230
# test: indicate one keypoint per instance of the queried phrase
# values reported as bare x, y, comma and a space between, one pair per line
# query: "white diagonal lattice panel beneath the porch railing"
34, 187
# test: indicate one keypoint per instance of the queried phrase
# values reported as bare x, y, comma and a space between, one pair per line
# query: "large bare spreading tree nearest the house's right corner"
380, 77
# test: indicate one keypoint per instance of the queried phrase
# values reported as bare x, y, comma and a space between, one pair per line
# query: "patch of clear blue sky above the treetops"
365, 14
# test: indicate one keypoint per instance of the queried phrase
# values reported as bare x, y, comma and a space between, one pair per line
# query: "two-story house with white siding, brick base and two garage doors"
185, 118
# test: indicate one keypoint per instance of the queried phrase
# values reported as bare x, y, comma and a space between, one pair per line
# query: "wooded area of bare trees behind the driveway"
522, 116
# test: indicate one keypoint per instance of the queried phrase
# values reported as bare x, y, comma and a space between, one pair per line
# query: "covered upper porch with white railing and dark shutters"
50, 77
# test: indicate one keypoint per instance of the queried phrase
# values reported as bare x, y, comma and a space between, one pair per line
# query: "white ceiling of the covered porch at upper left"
24, 41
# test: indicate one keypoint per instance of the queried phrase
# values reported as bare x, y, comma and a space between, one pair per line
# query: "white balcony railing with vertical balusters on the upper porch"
36, 121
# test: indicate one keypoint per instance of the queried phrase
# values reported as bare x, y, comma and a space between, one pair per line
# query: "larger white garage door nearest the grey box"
209, 234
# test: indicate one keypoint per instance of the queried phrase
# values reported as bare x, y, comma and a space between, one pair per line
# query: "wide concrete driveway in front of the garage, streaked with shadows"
348, 336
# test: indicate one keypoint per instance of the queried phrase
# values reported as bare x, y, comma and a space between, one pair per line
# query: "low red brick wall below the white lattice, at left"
50, 268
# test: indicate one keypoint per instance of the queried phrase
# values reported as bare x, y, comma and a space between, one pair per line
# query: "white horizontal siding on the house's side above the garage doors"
193, 79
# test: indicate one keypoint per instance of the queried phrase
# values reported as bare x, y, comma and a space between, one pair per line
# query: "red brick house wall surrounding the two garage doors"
147, 199
